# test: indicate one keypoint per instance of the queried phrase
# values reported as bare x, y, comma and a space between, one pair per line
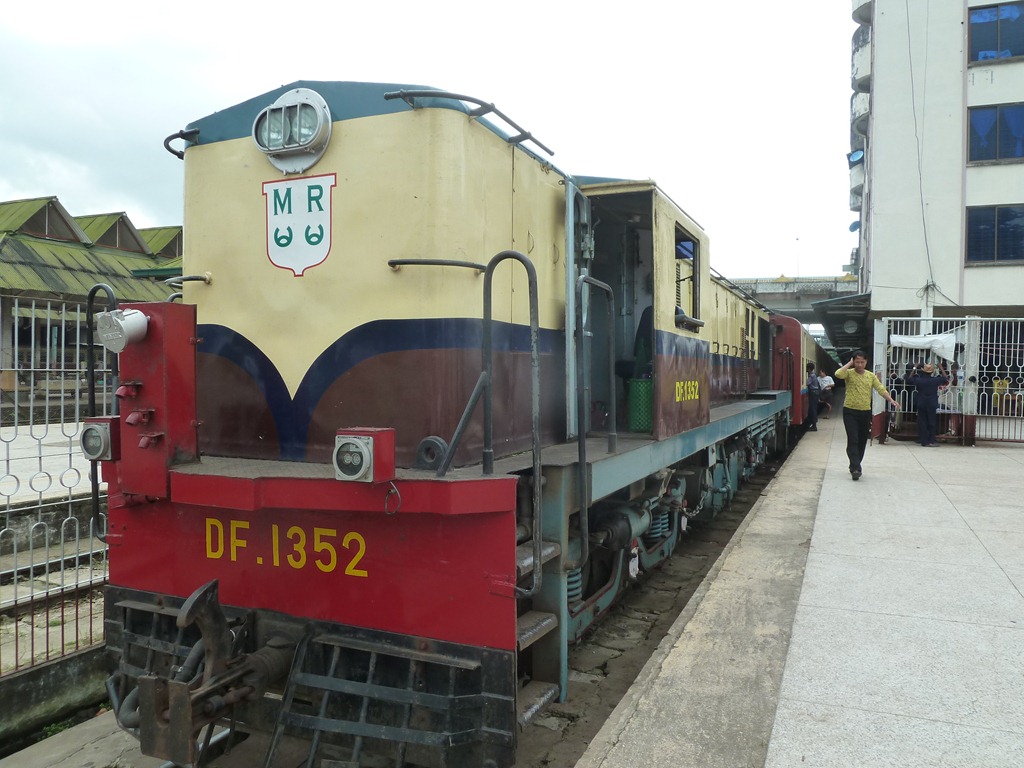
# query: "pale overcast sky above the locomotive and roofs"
740, 111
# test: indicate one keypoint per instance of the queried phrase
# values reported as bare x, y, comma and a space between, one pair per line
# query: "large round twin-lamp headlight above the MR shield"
294, 132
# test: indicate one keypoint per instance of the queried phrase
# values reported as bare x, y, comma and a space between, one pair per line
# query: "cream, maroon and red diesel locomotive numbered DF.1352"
425, 406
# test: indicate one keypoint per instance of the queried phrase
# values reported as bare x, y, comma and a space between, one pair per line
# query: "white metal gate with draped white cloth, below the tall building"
985, 358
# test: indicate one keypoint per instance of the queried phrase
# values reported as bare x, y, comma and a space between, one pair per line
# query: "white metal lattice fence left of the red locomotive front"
53, 562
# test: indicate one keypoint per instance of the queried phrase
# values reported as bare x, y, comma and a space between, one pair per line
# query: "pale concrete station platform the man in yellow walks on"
868, 624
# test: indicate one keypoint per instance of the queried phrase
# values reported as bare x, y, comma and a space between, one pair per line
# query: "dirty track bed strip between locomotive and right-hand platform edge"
607, 662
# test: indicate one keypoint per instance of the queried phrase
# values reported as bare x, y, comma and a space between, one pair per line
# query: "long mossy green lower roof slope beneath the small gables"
69, 271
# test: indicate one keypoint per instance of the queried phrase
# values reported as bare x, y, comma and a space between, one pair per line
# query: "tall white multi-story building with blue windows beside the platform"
936, 163
